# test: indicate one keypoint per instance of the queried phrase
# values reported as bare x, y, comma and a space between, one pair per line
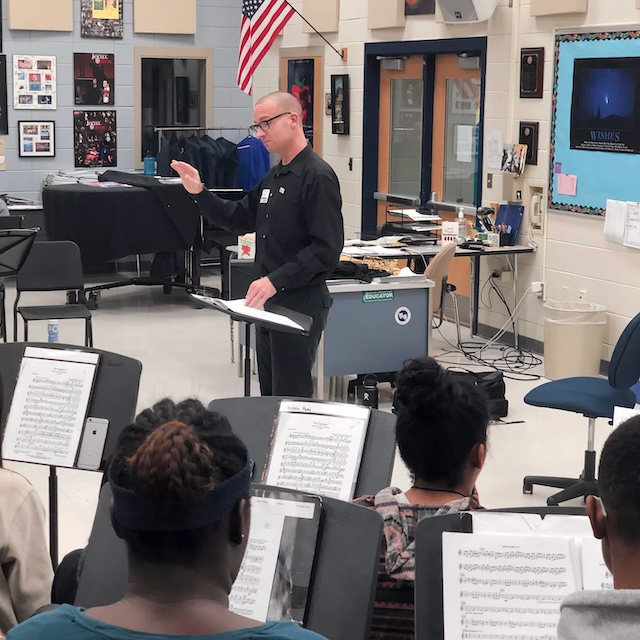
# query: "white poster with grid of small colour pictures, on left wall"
34, 82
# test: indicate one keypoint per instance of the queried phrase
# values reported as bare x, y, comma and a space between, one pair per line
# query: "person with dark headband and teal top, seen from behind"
180, 480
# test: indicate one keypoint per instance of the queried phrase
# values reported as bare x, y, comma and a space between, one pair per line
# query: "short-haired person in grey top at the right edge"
615, 519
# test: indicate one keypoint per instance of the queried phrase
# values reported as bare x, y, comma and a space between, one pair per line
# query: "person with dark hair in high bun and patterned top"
441, 433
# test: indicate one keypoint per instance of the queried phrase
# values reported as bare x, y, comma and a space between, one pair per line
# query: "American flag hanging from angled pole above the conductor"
262, 21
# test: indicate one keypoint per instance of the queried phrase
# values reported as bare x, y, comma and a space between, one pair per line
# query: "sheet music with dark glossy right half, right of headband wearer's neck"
274, 578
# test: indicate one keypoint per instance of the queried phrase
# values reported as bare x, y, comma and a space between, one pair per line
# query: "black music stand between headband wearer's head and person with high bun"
252, 420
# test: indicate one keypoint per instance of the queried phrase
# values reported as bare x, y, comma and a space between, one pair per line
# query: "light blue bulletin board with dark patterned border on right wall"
595, 123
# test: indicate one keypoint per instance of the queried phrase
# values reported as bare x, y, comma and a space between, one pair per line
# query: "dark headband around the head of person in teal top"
134, 512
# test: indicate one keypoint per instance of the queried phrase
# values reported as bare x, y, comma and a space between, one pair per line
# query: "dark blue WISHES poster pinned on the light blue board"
604, 105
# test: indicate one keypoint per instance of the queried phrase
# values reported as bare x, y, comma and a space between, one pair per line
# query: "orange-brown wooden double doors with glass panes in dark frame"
429, 123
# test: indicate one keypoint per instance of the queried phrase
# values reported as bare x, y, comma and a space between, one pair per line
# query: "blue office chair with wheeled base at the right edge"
593, 398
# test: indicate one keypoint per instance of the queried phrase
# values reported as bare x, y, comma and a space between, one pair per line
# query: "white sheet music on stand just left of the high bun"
317, 447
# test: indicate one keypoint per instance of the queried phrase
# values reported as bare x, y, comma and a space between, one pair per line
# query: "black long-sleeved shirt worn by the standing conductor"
296, 212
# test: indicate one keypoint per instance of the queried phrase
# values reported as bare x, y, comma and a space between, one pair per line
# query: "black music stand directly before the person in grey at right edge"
429, 610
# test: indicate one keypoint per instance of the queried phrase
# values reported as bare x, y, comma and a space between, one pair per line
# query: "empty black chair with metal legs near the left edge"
53, 266
